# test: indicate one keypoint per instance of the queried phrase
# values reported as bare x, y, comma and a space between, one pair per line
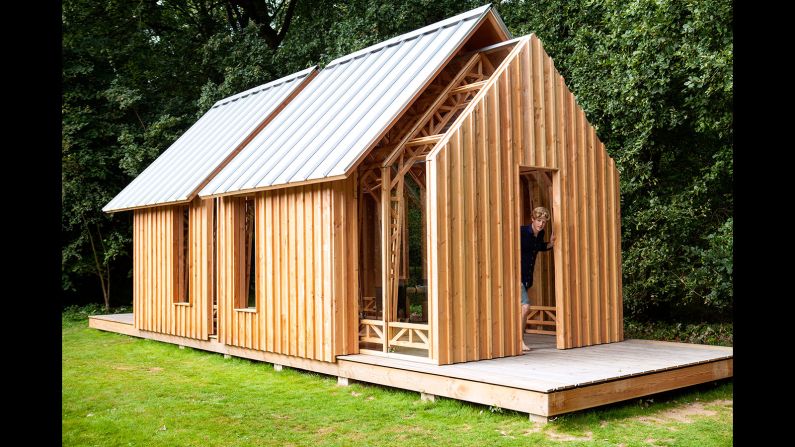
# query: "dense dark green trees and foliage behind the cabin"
653, 76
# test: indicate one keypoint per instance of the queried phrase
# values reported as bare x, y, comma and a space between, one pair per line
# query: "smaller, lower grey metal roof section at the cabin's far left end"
182, 168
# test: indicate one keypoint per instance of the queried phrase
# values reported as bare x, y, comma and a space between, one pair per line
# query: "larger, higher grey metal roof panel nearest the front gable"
341, 112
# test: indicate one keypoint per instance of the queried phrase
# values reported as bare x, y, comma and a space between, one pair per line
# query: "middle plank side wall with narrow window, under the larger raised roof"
306, 272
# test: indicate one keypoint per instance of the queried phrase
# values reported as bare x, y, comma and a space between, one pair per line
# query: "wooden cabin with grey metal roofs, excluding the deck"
374, 207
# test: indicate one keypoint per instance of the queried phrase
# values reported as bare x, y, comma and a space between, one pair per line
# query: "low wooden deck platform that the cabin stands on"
544, 382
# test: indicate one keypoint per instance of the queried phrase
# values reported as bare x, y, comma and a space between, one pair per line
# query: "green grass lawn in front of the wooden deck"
125, 391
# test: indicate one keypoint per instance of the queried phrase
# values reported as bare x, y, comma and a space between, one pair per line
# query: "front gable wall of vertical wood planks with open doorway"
526, 116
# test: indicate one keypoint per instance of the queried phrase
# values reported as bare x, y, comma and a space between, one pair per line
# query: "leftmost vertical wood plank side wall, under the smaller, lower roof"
155, 236
